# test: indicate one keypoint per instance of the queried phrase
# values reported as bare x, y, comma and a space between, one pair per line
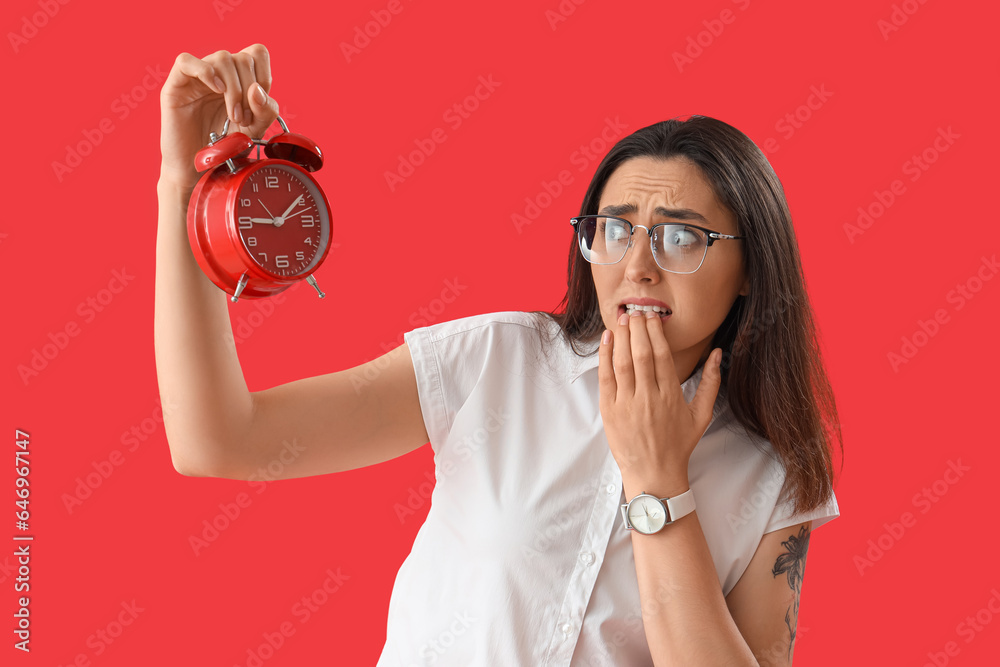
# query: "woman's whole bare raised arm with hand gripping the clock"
214, 425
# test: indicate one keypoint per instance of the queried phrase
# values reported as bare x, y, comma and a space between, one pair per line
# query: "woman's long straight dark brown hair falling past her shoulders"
772, 369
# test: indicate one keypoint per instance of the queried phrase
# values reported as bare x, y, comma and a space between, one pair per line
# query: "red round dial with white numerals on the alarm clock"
282, 220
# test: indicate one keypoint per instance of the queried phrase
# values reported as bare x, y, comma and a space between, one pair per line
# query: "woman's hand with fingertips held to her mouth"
651, 428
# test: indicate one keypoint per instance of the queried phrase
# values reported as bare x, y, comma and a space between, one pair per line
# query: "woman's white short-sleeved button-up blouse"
523, 558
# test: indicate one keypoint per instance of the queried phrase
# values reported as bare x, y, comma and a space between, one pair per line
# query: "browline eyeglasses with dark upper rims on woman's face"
677, 248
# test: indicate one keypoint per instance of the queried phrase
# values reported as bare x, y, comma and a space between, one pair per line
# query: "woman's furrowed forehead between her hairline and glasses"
676, 183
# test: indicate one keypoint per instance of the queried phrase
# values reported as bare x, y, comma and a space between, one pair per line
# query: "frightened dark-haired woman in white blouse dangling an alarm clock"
645, 502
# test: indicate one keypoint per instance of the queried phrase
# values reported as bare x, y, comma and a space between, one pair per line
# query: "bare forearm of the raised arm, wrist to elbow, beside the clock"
204, 395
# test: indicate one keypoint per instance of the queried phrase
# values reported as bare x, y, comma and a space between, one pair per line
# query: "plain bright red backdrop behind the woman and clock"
64, 234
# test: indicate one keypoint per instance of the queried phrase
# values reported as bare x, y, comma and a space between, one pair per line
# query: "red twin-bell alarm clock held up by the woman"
258, 226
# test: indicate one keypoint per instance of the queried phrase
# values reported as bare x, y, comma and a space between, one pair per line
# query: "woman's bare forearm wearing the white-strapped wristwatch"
684, 612
